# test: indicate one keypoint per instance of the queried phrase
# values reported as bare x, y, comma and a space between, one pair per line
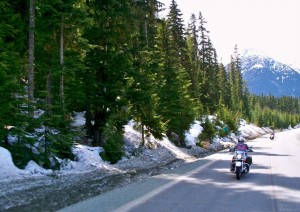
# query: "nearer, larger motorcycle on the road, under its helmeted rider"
240, 163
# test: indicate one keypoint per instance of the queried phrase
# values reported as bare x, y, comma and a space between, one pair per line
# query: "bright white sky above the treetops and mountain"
268, 27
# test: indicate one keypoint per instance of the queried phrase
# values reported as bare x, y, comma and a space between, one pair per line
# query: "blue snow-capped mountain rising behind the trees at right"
264, 75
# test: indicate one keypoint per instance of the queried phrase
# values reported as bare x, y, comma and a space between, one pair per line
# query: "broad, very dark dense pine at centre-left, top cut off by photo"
107, 61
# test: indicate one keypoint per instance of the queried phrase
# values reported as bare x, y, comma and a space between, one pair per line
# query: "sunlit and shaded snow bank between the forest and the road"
158, 152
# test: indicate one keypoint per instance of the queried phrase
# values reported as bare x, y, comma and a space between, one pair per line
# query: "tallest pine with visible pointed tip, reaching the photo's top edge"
176, 104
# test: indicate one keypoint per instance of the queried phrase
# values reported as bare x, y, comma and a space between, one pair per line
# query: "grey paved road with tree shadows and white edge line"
273, 184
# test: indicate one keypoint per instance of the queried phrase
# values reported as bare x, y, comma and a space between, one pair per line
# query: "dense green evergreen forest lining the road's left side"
116, 60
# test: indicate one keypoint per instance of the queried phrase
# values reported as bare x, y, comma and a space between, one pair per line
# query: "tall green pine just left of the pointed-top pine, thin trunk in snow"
143, 89
